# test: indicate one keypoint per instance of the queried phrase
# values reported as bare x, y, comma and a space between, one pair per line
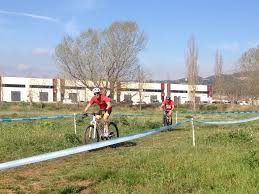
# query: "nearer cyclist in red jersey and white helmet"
104, 103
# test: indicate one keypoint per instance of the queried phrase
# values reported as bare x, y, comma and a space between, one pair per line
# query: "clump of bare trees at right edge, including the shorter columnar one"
244, 82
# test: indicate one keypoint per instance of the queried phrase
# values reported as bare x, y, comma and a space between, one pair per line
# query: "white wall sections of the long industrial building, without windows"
85, 94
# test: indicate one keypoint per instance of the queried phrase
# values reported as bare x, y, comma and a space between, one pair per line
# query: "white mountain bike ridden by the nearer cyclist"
96, 132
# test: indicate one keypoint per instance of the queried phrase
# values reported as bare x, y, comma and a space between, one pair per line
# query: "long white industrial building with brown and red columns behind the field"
15, 89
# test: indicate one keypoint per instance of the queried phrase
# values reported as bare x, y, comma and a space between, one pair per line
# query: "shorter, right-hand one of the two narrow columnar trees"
219, 86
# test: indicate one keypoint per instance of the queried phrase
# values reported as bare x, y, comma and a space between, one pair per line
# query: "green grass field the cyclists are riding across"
225, 159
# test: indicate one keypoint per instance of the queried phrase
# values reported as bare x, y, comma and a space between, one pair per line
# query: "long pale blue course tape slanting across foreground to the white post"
79, 149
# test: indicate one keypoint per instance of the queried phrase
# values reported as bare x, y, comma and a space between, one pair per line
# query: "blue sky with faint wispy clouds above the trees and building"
30, 30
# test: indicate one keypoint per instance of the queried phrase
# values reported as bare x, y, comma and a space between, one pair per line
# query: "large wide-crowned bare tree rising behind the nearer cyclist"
104, 57
